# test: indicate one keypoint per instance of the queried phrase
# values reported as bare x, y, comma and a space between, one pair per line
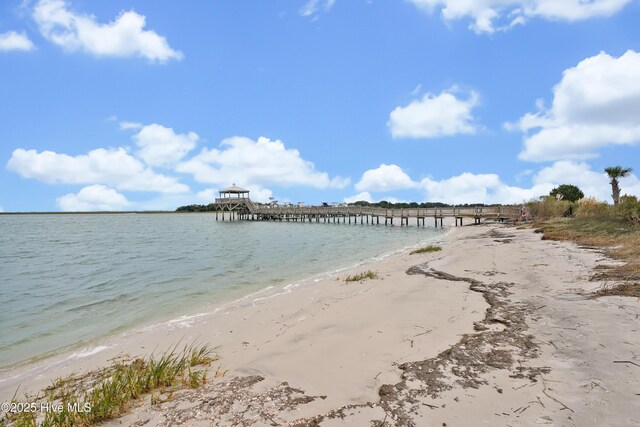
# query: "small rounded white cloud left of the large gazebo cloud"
161, 146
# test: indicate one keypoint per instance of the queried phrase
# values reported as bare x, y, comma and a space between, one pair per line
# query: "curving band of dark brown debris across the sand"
464, 364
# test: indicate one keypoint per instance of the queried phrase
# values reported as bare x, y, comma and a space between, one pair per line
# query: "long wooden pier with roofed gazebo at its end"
236, 202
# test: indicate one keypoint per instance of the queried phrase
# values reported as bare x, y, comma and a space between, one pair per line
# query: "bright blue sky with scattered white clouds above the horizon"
140, 104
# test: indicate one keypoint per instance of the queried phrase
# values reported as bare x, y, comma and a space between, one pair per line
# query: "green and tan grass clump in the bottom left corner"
108, 393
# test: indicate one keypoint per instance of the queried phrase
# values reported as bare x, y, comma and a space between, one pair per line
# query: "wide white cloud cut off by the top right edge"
491, 15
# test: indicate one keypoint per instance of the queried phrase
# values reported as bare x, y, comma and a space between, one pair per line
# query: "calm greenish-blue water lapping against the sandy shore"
68, 280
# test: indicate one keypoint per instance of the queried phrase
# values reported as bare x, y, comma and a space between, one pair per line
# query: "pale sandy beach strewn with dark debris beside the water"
496, 329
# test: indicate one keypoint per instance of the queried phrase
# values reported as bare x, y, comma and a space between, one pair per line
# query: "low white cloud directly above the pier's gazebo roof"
260, 162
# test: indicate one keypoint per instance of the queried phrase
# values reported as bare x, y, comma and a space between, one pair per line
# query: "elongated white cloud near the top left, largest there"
123, 37
